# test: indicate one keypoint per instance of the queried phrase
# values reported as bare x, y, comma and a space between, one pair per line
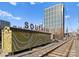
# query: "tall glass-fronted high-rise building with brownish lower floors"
54, 20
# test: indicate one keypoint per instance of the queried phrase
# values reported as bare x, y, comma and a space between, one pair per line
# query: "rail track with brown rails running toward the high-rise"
62, 51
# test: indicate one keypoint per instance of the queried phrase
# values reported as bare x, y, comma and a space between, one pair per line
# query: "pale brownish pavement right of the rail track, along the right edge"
75, 48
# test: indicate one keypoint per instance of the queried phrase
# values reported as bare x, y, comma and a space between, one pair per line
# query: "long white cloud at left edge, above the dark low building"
4, 14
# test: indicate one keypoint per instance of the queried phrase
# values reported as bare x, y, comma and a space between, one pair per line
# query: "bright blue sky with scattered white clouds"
33, 12
